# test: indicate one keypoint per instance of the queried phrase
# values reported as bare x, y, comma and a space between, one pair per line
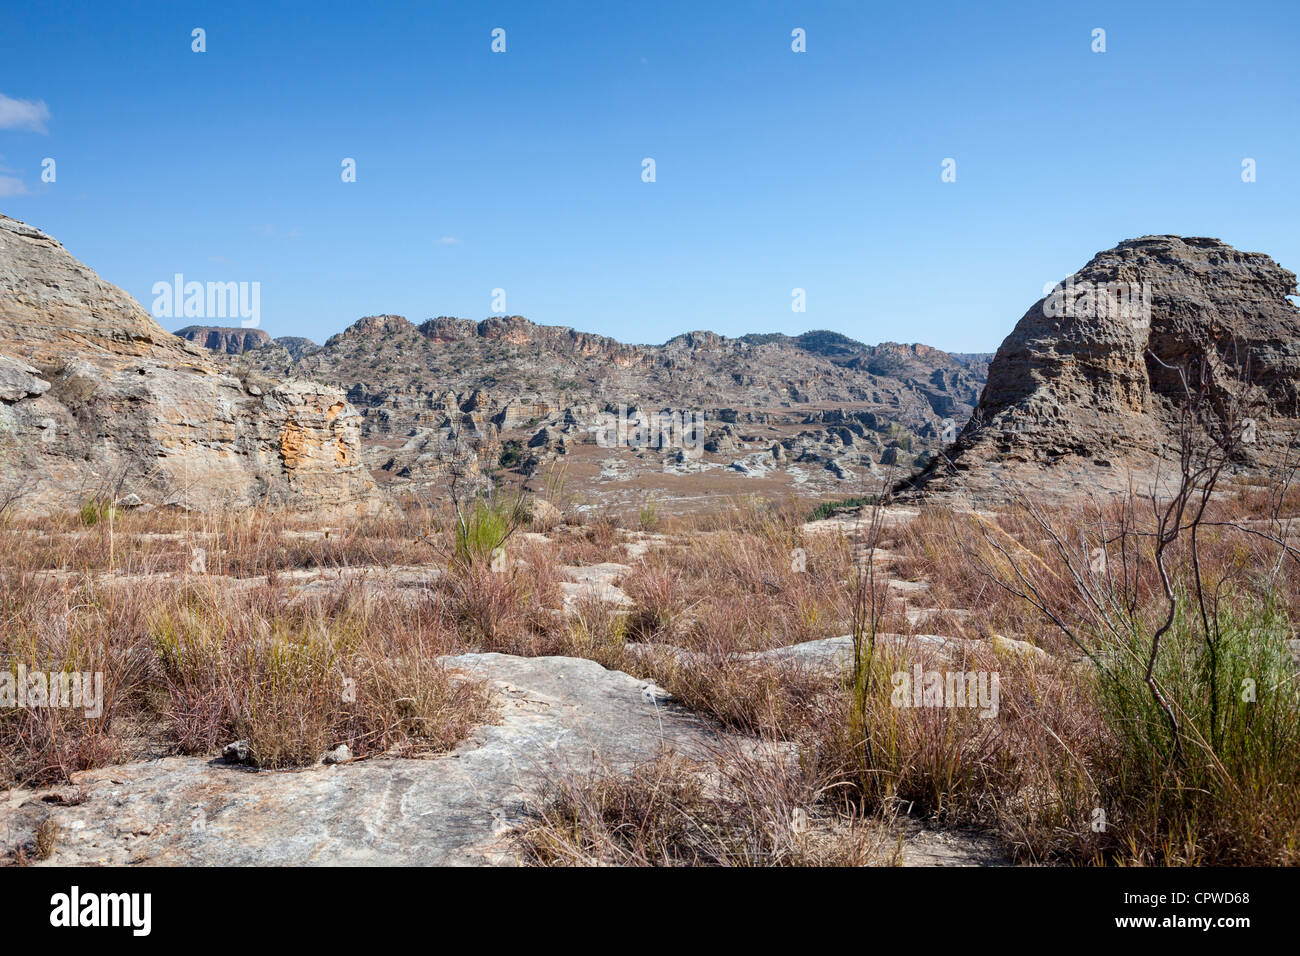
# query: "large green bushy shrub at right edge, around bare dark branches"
1233, 795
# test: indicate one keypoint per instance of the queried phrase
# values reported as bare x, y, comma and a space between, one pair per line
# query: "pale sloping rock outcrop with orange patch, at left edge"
98, 401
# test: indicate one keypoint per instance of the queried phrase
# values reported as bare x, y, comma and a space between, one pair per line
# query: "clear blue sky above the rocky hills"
522, 171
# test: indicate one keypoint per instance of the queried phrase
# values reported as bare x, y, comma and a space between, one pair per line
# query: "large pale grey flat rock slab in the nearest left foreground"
560, 715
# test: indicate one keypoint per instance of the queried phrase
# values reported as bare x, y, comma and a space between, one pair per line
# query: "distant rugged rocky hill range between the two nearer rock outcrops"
509, 393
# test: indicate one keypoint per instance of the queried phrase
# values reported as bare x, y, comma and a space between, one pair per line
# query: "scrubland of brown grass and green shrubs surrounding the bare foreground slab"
1149, 707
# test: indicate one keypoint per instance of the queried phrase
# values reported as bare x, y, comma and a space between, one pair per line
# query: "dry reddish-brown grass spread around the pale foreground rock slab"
244, 651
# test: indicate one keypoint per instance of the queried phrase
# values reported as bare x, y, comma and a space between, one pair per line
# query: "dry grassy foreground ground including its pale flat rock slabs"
720, 689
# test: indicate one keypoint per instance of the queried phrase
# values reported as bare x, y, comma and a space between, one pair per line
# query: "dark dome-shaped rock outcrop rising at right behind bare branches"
1087, 391
